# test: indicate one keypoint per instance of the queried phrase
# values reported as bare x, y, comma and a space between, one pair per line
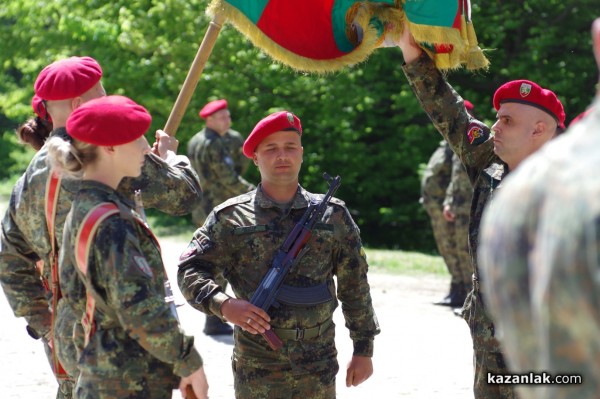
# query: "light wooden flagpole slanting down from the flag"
193, 76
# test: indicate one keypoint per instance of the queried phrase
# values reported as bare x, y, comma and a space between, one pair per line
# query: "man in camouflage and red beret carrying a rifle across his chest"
239, 240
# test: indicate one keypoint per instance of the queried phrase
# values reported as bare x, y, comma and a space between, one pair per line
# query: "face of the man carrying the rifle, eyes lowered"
279, 157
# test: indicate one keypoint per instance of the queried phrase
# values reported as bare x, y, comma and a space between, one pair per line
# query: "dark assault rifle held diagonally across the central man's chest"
288, 255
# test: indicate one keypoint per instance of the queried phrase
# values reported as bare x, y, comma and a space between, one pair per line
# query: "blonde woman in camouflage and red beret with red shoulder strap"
134, 347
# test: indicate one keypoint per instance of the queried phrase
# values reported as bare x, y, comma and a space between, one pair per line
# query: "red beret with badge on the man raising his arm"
530, 93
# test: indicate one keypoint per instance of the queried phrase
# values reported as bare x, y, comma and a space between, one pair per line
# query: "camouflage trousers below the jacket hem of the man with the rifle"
253, 383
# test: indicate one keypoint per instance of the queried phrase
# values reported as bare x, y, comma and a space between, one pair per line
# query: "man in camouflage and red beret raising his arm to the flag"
528, 116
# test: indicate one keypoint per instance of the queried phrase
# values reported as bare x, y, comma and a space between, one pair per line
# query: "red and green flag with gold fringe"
327, 35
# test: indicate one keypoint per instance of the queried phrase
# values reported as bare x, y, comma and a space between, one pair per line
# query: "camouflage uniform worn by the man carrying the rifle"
238, 241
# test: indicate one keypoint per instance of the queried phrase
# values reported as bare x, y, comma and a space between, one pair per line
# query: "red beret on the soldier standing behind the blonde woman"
67, 78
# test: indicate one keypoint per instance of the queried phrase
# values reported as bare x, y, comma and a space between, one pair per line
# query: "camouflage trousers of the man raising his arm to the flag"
487, 354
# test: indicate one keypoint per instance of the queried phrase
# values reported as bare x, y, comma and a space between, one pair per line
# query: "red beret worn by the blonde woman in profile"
108, 121
